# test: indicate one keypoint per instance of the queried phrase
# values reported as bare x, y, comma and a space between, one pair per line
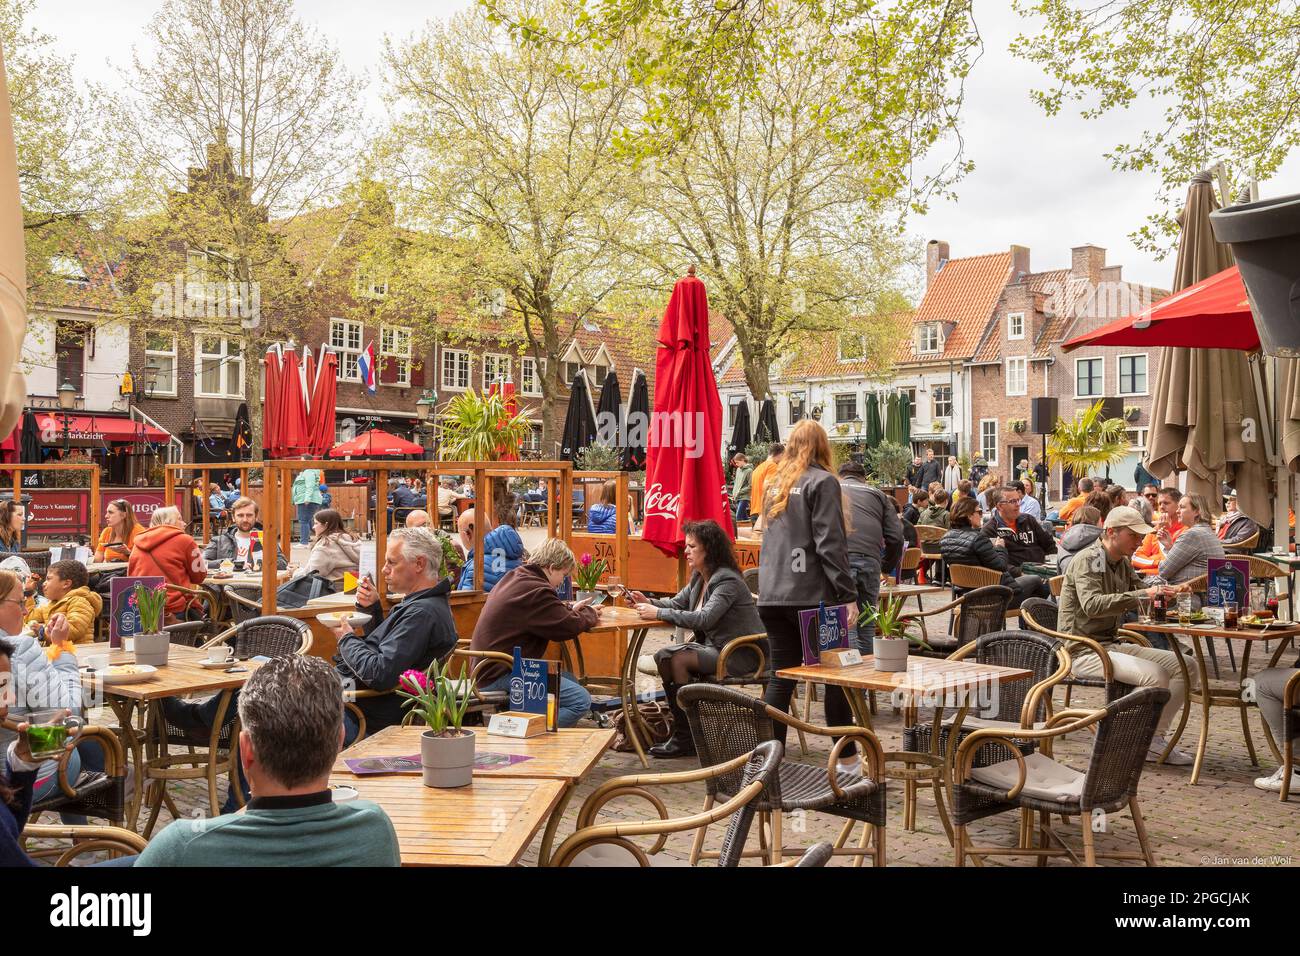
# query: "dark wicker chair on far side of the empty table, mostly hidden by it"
1019, 704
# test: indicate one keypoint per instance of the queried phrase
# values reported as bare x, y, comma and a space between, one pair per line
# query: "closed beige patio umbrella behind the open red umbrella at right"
1206, 418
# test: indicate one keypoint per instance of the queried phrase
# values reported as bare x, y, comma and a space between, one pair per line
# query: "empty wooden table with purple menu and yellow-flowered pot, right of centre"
928, 682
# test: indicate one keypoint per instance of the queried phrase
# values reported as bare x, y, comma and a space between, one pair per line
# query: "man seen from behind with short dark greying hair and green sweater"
292, 715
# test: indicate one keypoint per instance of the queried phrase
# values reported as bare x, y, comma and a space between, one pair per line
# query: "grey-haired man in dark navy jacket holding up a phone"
411, 635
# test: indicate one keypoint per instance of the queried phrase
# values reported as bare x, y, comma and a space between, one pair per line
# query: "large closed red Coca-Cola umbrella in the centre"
684, 470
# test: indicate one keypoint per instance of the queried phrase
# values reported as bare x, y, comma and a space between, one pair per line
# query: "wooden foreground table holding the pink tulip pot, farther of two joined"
566, 756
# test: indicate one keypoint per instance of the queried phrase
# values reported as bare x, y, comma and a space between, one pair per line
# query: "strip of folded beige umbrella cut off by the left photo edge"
14, 272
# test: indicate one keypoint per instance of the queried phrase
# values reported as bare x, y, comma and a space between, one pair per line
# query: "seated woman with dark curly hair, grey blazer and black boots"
717, 607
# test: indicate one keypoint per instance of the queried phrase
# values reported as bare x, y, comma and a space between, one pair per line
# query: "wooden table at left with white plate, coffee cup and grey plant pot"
183, 676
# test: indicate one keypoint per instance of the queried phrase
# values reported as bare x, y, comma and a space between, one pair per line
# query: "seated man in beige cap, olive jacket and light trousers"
1100, 589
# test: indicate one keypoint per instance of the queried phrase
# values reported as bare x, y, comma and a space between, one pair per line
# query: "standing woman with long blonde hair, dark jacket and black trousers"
804, 564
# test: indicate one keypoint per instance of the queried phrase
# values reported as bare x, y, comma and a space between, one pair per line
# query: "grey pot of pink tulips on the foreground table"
447, 749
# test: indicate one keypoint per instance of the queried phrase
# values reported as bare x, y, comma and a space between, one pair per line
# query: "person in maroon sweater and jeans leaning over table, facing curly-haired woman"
523, 611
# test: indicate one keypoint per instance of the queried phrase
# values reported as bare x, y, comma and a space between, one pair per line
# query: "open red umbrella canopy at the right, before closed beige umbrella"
1214, 314
